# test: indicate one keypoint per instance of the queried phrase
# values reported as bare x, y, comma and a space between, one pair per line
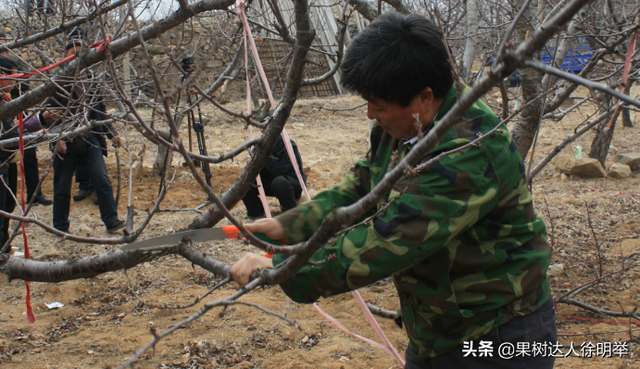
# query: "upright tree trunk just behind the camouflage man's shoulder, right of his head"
526, 127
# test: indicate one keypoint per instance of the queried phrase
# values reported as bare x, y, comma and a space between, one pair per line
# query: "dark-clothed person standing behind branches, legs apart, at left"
86, 150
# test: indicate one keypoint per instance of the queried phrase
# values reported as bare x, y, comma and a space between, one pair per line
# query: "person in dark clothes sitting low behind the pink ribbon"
279, 179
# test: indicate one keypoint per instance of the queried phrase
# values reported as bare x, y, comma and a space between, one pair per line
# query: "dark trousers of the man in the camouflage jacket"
539, 326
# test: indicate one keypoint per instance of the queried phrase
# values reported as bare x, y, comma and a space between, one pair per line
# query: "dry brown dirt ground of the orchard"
105, 319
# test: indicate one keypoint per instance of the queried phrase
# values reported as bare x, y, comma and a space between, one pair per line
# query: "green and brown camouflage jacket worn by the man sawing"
466, 251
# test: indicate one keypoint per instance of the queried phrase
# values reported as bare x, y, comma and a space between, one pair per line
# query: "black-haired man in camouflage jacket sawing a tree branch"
467, 253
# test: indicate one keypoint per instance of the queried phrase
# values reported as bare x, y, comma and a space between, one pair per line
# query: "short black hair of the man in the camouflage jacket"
395, 58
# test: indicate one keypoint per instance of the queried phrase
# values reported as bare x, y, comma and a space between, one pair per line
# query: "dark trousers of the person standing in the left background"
64, 166
